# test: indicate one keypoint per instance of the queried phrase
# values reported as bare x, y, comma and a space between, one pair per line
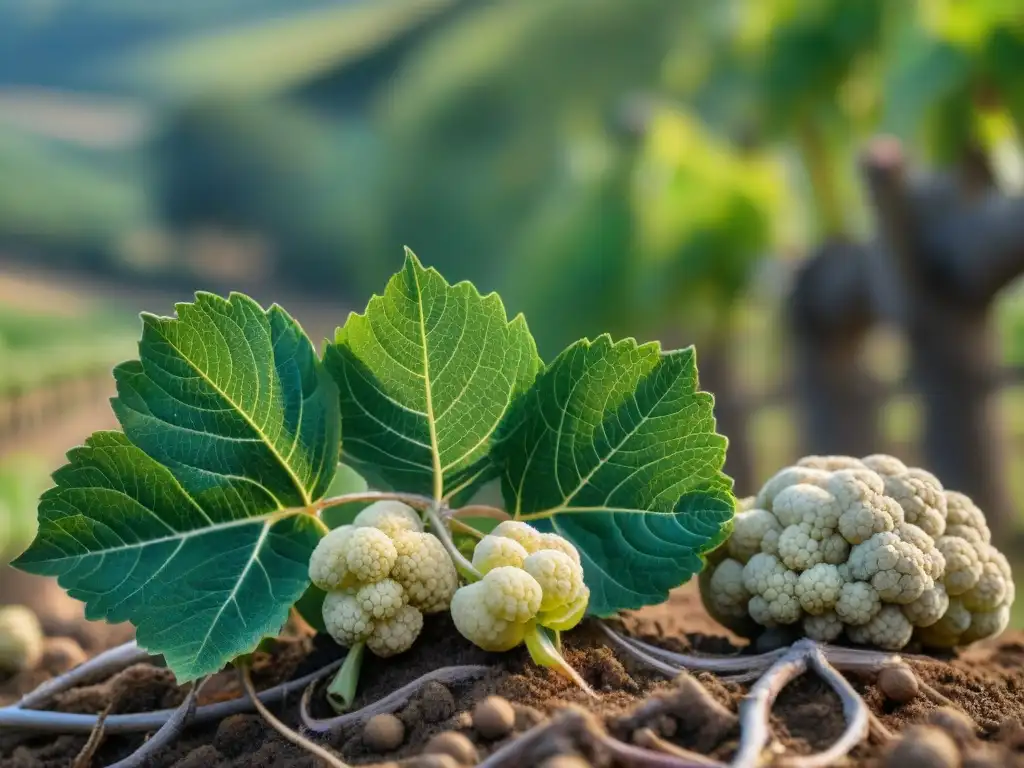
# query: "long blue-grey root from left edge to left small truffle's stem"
37, 720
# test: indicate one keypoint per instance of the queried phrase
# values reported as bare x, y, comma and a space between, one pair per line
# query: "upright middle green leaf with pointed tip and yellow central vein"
425, 377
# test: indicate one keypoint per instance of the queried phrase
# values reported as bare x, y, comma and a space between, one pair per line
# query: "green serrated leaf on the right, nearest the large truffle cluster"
615, 449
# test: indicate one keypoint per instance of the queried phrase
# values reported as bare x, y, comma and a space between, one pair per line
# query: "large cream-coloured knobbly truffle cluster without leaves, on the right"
867, 547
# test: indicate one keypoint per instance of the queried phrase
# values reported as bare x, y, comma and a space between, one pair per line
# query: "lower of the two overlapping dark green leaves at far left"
202, 584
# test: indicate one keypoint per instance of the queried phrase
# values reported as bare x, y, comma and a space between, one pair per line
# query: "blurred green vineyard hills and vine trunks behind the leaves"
682, 170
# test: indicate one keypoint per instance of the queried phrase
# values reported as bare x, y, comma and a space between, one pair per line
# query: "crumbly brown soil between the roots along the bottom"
987, 682
